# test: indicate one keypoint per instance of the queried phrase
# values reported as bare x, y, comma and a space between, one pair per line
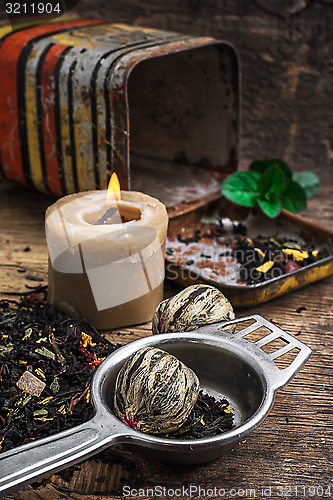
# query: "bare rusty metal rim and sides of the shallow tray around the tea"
247, 295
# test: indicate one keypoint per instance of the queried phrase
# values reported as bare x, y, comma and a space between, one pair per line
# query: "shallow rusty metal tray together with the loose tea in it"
248, 256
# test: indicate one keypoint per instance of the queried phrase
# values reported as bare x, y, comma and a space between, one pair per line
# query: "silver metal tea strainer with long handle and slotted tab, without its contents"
226, 364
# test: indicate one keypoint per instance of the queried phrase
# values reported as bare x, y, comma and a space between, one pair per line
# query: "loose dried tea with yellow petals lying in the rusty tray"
213, 254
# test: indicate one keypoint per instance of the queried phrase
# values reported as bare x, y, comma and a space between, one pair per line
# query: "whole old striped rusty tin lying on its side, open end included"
89, 98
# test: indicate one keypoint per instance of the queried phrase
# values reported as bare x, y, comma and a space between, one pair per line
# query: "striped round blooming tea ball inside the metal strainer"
155, 392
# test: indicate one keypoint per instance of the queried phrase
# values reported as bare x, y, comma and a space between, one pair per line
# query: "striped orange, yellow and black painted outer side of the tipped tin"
59, 130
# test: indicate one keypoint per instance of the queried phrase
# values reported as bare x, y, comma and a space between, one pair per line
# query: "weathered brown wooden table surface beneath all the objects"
291, 449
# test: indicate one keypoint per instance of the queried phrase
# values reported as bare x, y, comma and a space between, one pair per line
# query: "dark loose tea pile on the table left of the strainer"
46, 364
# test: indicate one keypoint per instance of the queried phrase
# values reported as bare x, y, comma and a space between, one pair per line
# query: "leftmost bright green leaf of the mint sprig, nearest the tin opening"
242, 188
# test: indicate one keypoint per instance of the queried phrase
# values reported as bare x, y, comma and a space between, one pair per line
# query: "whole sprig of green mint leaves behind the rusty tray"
271, 185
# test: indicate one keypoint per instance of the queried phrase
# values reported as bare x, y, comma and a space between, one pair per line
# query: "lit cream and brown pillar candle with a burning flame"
106, 254
